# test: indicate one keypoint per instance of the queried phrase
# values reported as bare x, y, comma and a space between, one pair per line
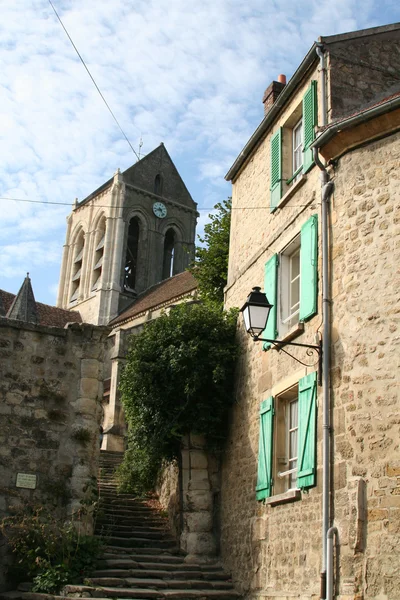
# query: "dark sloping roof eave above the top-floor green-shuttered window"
283, 97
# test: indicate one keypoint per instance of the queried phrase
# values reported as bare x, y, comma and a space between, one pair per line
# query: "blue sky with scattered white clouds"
187, 73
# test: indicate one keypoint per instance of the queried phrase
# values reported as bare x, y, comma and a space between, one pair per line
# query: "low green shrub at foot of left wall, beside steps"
48, 550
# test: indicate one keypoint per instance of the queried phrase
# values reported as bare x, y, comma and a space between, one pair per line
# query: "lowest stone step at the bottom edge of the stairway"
77, 591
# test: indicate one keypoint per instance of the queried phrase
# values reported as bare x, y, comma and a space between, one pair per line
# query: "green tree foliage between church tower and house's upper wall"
211, 261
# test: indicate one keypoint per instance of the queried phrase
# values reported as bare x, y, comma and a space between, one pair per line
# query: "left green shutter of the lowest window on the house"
264, 477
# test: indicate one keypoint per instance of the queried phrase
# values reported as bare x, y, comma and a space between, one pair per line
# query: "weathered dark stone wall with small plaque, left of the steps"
50, 406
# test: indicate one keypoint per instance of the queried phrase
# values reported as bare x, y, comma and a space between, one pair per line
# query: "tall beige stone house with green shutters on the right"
271, 476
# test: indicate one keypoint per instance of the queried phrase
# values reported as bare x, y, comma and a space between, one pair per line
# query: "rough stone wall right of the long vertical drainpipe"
366, 402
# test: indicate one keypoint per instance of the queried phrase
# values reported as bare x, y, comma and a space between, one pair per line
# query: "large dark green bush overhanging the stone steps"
178, 379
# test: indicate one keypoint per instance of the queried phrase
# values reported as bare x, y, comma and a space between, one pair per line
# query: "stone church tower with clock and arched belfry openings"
134, 231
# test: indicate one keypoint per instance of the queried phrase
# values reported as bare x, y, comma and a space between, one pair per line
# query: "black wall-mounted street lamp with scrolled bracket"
256, 311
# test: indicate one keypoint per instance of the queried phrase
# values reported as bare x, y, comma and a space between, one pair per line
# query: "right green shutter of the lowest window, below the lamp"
307, 431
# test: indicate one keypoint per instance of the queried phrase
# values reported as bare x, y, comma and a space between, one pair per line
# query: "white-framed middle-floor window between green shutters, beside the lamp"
289, 287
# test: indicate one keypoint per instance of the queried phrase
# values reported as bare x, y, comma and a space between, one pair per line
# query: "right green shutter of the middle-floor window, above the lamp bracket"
309, 268
